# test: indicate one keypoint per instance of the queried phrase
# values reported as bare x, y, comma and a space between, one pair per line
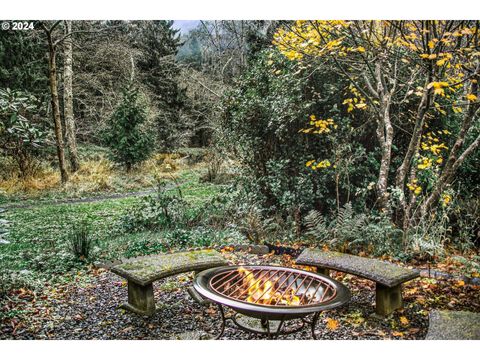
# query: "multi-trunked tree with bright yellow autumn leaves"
403, 74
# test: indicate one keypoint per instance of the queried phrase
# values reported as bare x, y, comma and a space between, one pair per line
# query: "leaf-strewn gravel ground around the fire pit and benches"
90, 310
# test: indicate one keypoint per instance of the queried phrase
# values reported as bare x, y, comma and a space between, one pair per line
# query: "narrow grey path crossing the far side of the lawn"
29, 204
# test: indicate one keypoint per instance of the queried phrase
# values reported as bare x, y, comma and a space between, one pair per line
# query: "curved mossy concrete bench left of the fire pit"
142, 272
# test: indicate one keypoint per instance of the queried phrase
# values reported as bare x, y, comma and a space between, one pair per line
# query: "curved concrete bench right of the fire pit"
387, 276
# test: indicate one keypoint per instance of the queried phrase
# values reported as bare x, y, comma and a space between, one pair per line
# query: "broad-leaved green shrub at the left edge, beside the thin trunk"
23, 135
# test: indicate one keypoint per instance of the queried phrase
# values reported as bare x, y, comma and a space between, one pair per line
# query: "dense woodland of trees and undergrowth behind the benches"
361, 136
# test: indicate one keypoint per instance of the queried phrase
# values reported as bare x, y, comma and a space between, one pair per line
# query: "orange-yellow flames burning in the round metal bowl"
266, 291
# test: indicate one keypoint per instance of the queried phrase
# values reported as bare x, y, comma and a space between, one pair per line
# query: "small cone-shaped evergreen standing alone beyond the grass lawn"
128, 136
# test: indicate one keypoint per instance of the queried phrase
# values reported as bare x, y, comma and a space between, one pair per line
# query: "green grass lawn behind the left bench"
39, 246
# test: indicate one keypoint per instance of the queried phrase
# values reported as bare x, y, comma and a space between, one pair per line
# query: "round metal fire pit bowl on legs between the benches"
271, 294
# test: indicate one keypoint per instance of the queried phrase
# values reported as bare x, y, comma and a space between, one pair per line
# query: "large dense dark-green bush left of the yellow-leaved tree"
264, 115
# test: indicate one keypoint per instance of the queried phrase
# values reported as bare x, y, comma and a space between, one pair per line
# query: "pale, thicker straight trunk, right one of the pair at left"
70, 138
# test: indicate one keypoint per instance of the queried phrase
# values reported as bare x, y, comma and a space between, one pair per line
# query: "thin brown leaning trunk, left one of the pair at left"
52, 66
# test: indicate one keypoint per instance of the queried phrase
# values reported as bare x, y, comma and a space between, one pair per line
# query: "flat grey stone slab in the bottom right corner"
453, 325
